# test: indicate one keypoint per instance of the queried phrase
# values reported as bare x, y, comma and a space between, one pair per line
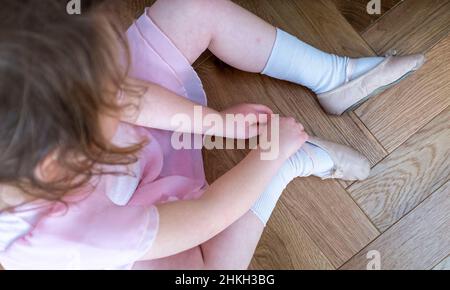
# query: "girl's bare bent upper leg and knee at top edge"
233, 34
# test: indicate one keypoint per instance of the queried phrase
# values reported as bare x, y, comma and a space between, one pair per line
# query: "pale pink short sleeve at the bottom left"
86, 237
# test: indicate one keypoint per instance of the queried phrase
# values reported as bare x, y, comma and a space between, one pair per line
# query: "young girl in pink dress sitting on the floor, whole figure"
89, 179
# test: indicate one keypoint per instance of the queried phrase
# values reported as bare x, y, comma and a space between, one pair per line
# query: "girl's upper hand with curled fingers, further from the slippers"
253, 126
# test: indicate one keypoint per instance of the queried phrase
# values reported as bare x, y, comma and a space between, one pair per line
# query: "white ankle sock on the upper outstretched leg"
295, 61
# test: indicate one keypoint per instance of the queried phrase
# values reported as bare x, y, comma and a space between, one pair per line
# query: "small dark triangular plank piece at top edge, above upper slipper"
355, 11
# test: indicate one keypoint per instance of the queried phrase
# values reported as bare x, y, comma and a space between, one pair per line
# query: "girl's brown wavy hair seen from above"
58, 73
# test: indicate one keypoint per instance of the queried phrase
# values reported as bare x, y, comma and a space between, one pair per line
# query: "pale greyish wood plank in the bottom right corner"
419, 241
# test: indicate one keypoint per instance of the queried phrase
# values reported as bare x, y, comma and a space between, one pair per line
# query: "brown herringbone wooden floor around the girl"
403, 209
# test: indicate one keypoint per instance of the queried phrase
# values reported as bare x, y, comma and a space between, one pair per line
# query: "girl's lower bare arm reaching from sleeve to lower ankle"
186, 224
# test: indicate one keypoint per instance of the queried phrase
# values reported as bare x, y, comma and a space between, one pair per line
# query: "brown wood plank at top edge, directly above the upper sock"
318, 23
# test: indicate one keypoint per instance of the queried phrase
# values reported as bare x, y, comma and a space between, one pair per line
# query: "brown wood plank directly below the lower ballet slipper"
330, 217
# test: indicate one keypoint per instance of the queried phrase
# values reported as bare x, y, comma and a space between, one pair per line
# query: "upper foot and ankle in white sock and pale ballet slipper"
341, 83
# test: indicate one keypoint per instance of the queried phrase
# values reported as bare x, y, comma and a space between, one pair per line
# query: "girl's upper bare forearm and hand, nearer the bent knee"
157, 107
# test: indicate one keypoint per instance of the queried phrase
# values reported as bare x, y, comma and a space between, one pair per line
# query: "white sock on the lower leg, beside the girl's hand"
316, 162
